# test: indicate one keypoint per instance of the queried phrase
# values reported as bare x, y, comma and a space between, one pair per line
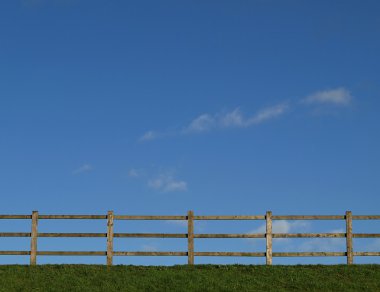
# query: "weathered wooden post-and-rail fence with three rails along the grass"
191, 236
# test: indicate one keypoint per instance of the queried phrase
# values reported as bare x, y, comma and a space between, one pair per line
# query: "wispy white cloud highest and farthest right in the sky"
337, 96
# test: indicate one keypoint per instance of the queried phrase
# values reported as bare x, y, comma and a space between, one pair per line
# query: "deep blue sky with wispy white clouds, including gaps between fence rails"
160, 107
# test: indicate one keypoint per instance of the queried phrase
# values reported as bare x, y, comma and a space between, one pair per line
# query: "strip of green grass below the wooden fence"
185, 278
